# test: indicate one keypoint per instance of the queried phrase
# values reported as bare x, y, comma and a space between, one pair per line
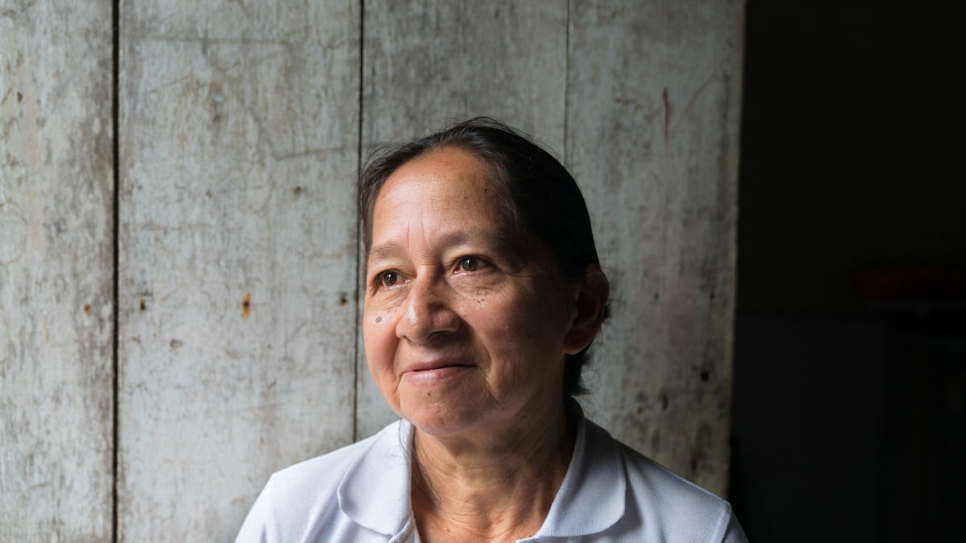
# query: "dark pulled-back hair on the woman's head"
541, 196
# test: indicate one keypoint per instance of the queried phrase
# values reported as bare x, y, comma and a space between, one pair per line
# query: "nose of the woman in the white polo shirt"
428, 312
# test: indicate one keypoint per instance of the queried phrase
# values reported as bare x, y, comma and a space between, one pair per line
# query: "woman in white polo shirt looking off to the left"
483, 293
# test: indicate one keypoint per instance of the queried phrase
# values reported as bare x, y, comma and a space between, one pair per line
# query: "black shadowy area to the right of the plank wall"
849, 418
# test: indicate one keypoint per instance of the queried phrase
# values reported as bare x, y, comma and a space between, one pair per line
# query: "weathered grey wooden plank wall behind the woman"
240, 129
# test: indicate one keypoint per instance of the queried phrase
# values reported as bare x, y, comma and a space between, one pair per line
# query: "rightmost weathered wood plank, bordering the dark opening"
653, 95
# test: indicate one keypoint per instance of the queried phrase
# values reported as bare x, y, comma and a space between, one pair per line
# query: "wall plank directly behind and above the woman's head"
431, 63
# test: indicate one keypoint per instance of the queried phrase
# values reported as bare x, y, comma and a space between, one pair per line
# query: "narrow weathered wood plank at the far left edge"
56, 271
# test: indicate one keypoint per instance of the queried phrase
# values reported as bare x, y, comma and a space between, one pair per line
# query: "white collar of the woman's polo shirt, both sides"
374, 493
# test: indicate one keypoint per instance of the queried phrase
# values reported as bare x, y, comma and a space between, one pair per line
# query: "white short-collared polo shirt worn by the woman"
611, 493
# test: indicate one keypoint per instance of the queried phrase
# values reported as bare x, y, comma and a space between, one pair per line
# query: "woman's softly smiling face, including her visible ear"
464, 330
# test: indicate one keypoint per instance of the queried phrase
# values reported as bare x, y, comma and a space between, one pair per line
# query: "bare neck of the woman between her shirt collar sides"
500, 489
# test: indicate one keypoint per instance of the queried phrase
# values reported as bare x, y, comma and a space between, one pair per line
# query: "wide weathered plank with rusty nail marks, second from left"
239, 144
